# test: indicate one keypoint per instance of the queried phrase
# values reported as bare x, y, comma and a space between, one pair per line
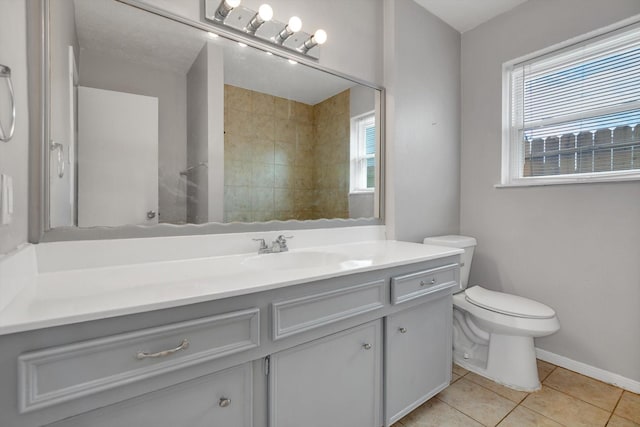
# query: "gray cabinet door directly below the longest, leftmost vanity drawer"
220, 399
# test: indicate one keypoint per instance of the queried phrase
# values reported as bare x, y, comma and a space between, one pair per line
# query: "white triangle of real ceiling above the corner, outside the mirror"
464, 15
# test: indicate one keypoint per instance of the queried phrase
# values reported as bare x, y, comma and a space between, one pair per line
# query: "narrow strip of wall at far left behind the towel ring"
14, 154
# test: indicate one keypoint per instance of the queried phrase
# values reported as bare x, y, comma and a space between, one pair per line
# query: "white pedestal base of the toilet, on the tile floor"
511, 361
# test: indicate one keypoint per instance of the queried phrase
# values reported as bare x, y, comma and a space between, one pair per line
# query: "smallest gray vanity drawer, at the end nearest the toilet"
414, 285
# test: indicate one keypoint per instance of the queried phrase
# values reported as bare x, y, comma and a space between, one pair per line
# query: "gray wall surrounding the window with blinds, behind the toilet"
573, 247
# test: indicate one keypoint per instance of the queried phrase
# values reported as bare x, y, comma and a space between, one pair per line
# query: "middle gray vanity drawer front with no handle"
298, 315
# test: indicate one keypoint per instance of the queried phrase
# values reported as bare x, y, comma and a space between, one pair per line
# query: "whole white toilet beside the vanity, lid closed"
493, 332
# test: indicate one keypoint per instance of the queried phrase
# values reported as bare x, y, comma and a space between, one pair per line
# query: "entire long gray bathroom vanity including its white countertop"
345, 335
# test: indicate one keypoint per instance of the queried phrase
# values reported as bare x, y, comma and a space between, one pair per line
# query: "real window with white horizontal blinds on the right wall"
573, 115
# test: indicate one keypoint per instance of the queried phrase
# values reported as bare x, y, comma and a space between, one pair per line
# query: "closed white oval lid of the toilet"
511, 305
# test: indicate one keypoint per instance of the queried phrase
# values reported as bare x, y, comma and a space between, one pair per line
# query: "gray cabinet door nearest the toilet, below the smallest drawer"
418, 356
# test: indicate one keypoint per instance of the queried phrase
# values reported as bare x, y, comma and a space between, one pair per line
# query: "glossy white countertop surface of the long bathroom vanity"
69, 296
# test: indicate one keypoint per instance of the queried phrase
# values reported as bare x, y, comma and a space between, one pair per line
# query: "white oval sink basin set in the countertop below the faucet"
294, 260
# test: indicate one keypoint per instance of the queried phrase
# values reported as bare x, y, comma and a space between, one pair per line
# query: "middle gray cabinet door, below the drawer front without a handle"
333, 381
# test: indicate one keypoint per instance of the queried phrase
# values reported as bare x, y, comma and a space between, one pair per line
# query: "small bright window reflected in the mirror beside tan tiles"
363, 153
